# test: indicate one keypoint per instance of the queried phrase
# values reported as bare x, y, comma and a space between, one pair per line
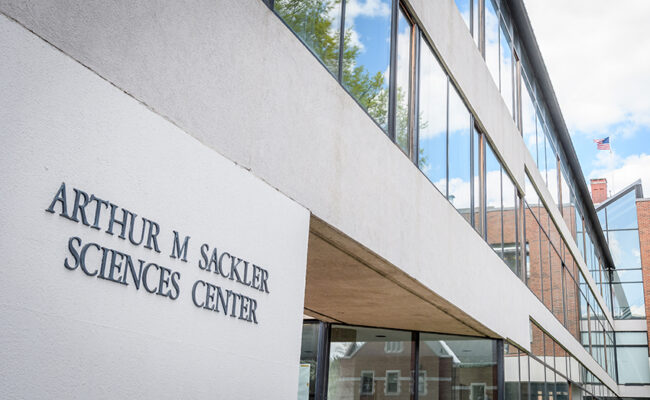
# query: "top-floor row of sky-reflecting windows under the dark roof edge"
506, 61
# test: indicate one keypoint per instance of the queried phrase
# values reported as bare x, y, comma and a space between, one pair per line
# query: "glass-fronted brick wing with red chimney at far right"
625, 219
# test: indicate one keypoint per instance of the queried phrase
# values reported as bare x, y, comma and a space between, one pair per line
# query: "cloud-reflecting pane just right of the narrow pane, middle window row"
432, 135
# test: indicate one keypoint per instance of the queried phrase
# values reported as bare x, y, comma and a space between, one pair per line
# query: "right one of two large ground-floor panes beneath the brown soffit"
462, 367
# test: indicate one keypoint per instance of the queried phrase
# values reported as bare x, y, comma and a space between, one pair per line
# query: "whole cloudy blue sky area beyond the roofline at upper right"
599, 63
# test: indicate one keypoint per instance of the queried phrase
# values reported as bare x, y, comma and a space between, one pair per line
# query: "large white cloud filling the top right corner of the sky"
597, 55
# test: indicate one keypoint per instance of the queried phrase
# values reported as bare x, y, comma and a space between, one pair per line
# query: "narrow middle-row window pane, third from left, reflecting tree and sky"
404, 35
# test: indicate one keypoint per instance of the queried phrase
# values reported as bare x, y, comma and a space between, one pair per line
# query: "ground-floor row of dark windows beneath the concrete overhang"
353, 362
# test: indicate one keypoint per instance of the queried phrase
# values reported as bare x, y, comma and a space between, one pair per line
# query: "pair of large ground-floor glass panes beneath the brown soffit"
373, 363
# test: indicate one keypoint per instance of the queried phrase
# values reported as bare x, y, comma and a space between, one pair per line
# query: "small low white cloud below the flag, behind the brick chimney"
621, 172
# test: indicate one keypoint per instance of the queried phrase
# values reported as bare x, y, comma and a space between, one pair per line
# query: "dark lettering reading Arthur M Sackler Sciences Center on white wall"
157, 278
